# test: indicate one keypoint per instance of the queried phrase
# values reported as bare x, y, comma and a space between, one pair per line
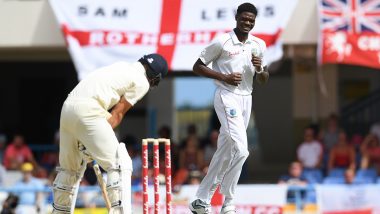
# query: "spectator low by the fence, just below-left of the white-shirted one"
294, 176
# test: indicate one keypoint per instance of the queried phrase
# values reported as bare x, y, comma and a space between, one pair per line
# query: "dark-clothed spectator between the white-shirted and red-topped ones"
331, 134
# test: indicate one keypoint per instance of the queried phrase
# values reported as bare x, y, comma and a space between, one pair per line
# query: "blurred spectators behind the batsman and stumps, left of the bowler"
32, 166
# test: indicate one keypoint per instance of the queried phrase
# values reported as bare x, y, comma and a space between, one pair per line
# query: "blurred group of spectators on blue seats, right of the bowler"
330, 156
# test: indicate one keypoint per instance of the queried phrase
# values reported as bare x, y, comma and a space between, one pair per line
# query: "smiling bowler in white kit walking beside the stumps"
236, 59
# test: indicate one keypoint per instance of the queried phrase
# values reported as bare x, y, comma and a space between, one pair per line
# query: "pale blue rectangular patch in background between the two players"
196, 91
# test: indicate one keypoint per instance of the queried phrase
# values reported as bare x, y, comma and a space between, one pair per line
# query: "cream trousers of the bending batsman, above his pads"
85, 121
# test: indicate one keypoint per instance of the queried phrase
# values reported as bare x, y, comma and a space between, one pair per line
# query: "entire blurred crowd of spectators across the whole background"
326, 156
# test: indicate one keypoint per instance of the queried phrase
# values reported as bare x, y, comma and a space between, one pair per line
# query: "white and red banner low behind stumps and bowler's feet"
250, 199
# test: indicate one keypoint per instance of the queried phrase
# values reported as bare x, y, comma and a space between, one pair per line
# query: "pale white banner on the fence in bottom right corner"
349, 199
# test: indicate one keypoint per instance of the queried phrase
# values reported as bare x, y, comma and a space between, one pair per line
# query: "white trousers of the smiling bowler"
232, 149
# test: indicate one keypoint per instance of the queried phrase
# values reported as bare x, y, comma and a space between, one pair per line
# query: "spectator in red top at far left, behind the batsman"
17, 153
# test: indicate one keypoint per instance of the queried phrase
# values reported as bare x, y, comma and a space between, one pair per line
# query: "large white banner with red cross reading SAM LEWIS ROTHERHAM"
100, 32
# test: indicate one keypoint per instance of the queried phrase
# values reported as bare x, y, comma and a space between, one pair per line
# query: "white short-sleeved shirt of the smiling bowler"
229, 55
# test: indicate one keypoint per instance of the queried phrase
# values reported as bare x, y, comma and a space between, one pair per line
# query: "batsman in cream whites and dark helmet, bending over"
90, 113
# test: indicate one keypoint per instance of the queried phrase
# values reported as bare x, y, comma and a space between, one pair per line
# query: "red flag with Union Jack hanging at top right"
350, 32
